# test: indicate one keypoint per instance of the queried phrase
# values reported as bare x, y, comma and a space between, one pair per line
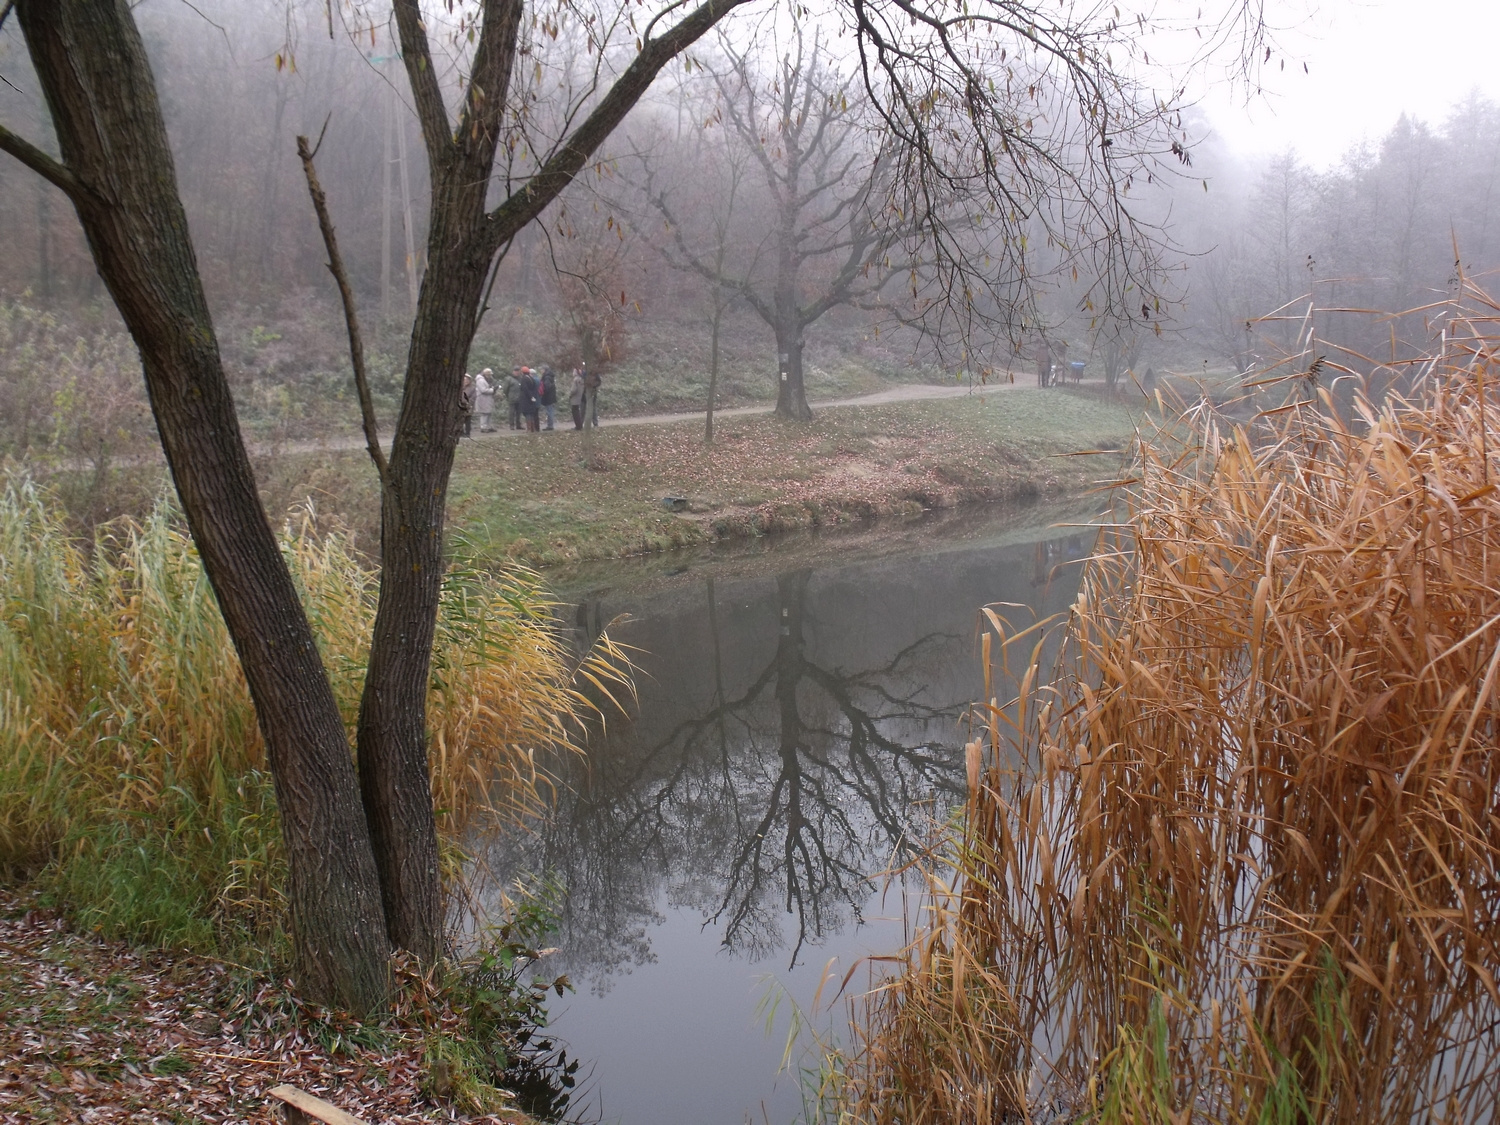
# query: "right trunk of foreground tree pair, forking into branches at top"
463, 242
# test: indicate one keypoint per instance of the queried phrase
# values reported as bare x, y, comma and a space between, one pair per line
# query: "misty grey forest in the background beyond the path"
622, 272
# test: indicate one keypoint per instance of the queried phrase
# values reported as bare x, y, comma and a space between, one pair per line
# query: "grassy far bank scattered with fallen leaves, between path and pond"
547, 500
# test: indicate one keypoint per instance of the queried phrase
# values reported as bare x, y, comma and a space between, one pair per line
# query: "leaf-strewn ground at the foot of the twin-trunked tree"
98, 1033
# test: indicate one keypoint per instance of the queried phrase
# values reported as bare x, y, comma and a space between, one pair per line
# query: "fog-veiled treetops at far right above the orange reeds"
1387, 229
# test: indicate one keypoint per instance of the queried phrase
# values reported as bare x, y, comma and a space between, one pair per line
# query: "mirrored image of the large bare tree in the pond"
815, 794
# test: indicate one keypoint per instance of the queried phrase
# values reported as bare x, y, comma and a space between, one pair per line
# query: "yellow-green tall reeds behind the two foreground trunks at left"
133, 778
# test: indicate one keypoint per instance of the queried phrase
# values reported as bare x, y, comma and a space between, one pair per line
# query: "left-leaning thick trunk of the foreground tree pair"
103, 98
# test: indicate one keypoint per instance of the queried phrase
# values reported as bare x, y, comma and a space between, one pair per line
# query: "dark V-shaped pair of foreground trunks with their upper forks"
362, 878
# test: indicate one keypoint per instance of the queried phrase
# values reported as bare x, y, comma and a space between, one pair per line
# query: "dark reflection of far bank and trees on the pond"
793, 731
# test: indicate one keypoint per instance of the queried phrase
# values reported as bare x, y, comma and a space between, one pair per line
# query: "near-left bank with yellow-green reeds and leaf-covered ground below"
136, 806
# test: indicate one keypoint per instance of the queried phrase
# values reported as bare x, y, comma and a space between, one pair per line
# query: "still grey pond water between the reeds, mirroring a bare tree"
800, 722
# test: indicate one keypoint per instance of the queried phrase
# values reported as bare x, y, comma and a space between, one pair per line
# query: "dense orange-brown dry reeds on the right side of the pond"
1240, 860
